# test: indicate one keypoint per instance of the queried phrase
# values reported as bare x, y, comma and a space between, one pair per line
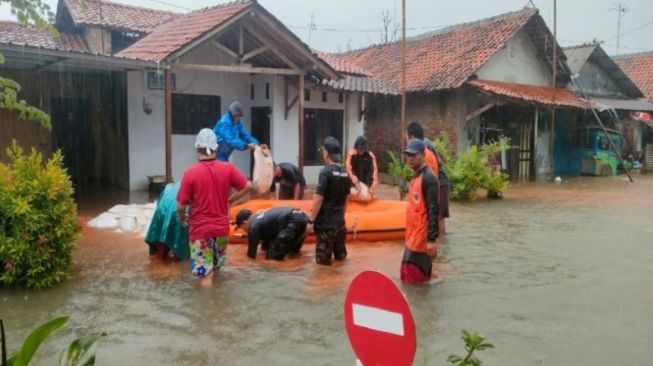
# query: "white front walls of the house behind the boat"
147, 132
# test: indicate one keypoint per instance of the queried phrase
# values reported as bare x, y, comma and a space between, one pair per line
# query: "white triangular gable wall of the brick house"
517, 63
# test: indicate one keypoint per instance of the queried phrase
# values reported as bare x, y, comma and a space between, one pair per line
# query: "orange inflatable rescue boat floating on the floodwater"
378, 220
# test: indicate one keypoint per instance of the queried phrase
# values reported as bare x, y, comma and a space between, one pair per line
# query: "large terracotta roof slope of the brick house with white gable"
442, 59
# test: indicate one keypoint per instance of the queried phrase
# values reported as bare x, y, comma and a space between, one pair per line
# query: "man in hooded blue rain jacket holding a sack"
232, 134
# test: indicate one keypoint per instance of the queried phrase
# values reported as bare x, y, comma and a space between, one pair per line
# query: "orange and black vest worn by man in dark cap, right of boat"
422, 210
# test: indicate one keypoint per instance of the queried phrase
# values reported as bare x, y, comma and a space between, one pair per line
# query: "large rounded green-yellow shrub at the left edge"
38, 220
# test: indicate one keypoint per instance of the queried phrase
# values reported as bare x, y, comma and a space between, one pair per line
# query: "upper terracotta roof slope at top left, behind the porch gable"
117, 16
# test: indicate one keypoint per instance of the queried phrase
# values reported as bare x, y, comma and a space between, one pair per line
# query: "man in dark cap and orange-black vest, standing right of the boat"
421, 217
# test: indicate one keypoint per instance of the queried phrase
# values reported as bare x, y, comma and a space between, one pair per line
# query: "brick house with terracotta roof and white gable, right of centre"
475, 81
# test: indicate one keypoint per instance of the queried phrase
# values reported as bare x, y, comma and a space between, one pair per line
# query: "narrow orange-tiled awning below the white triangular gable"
531, 93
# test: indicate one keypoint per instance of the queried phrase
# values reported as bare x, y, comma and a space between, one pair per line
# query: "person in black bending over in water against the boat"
281, 229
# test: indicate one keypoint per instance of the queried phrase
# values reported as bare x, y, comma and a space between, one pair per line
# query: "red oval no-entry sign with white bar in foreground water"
378, 321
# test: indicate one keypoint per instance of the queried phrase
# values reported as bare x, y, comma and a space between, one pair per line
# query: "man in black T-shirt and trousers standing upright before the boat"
329, 203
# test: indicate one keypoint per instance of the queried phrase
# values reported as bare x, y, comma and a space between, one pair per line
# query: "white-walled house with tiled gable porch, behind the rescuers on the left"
128, 88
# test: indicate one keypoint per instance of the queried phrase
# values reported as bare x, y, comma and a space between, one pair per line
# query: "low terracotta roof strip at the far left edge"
22, 35
